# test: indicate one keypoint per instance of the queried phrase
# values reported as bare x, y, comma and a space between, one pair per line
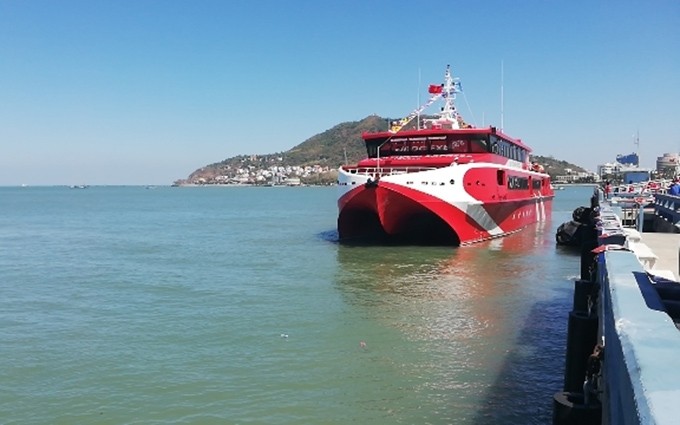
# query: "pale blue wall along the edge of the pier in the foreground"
640, 373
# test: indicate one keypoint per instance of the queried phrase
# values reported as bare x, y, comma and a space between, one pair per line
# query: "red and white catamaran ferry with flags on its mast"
443, 182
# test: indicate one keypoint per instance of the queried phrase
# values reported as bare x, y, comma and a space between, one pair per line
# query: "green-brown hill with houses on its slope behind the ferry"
328, 150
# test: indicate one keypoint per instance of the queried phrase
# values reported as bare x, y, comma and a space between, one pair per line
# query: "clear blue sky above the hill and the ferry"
145, 92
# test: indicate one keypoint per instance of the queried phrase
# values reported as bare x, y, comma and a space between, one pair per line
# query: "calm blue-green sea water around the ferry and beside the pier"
124, 305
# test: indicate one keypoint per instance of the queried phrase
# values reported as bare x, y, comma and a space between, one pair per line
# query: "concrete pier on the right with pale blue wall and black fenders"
633, 372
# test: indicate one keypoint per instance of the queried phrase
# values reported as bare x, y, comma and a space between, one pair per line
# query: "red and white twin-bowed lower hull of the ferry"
454, 205
